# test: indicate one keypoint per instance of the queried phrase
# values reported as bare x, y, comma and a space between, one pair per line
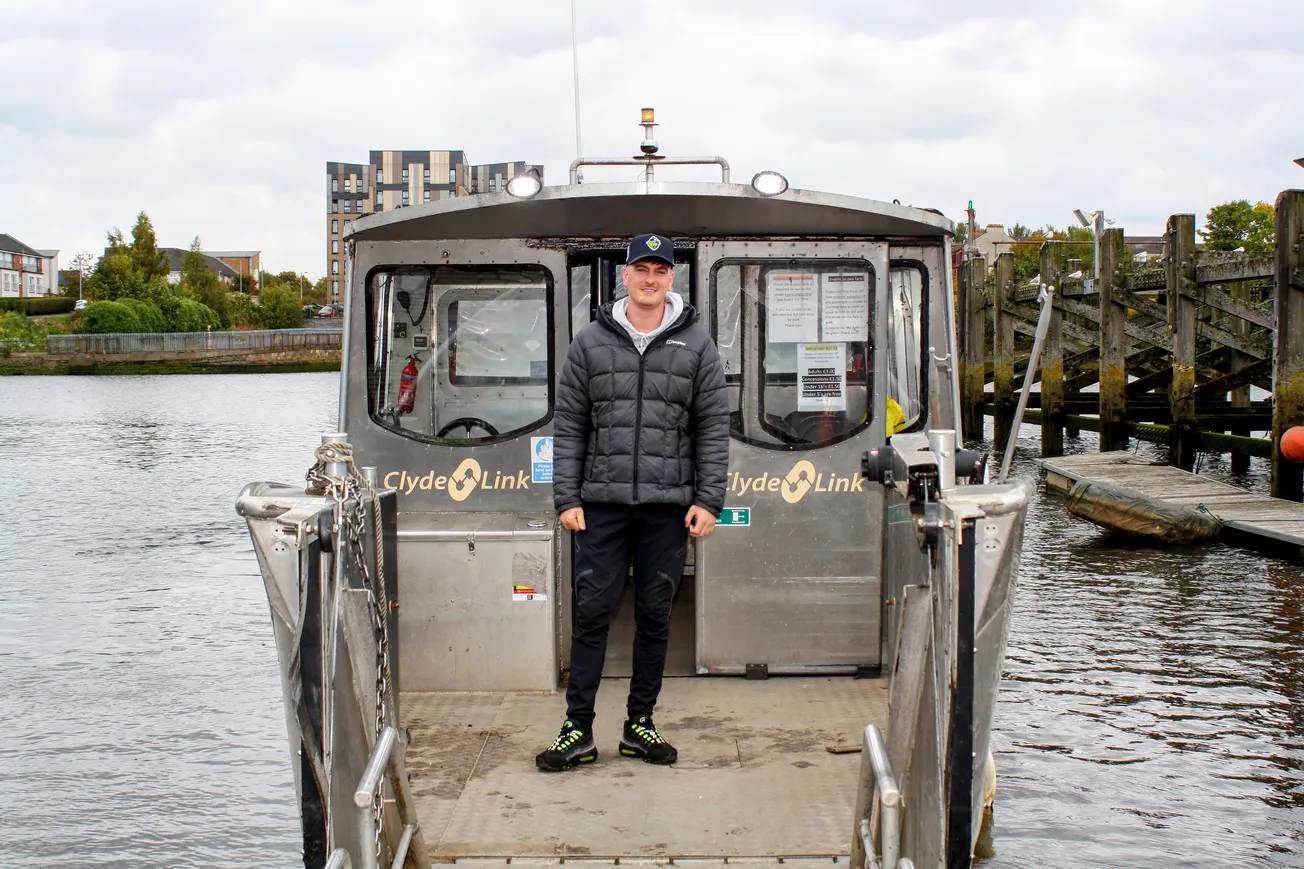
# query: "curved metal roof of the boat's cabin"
675, 209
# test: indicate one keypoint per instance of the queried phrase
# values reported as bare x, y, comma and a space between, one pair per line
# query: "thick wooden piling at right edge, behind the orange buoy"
1288, 478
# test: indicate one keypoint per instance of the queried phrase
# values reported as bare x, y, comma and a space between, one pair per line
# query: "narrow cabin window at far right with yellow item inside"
908, 290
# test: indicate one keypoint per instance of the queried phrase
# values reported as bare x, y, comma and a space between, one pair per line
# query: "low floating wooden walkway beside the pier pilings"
1256, 521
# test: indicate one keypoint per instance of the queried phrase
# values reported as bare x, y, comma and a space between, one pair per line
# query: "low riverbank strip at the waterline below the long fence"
254, 362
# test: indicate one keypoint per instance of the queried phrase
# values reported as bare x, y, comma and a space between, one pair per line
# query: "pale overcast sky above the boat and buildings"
218, 118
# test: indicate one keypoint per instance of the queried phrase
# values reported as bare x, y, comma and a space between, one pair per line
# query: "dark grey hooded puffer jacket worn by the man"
650, 429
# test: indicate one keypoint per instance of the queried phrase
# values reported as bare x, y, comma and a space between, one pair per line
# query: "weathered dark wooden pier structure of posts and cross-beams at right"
1163, 352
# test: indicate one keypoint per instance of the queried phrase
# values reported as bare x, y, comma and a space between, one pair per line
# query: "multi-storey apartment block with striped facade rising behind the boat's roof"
397, 179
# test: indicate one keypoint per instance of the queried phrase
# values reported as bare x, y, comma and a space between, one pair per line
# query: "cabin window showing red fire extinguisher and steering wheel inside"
481, 340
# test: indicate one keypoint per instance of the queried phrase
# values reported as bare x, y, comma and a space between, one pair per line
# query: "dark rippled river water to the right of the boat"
1151, 713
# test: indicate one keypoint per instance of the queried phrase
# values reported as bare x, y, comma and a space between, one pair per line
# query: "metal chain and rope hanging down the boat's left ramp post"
349, 493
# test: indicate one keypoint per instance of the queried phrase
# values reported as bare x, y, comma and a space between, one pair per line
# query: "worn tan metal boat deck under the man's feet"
756, 778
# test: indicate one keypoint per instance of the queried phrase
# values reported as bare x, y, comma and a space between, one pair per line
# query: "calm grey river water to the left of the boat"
139, 692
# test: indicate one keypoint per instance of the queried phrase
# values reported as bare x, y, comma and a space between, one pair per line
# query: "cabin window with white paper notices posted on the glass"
795, 340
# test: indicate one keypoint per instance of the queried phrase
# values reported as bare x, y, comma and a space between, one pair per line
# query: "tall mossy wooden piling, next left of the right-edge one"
1181, 288
